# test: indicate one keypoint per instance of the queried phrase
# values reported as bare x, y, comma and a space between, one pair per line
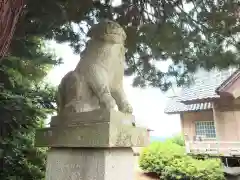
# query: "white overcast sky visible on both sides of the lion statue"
148, 104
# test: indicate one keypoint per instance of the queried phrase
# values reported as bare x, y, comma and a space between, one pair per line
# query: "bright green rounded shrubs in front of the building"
170, 162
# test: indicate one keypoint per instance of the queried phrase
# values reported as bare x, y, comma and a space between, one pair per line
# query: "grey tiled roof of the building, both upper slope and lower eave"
204, 87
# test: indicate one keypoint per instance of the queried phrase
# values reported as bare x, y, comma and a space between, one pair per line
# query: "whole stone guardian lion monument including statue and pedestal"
89, 140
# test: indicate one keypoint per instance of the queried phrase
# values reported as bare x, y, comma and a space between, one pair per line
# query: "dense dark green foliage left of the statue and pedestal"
25, 102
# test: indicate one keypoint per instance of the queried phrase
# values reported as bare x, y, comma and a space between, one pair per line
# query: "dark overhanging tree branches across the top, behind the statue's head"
190, 33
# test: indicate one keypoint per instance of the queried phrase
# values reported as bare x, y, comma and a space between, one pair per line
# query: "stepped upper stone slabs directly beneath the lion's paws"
104, 129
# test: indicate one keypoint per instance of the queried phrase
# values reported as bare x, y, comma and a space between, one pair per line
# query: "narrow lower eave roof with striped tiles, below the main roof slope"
175, 106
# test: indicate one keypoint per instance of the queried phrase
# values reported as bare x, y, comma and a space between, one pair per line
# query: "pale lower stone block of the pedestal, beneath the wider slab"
90, 164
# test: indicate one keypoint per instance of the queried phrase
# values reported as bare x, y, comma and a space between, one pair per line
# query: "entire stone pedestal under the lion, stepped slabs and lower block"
93, 145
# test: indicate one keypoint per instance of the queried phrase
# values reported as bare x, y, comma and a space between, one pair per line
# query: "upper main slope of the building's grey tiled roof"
205, 84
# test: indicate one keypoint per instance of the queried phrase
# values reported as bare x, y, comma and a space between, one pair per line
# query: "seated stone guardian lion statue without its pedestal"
97, 81
